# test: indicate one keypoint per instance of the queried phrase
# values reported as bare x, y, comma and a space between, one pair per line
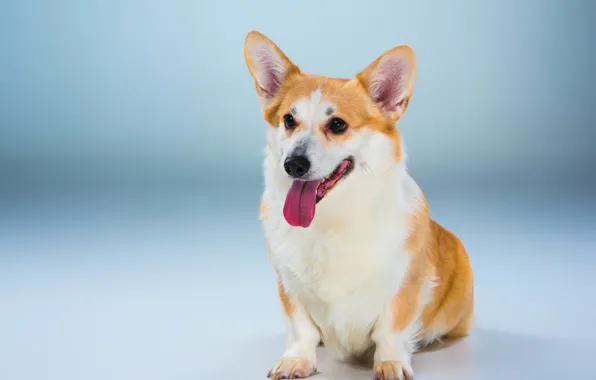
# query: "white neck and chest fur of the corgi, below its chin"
345, 267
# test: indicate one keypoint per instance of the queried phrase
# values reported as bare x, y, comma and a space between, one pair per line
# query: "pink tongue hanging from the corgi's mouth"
299, 209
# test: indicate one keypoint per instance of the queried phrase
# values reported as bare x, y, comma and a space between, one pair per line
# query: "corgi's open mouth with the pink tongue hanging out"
302, 197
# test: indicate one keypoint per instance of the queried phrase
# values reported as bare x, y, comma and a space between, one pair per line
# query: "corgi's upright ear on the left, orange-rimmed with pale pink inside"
268, 66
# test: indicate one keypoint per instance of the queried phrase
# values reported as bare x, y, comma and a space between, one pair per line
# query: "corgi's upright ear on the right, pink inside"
389, 80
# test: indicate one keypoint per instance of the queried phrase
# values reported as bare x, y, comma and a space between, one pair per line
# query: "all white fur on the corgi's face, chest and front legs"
347, 265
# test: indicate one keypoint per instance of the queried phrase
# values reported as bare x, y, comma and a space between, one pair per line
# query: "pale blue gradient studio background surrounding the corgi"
131, 145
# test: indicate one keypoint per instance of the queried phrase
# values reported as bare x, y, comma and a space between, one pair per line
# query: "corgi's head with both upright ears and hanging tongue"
323, 129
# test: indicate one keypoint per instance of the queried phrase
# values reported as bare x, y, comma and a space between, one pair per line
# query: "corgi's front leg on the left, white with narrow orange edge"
299, 358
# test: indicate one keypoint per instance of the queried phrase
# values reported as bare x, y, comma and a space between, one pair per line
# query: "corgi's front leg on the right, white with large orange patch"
395, 333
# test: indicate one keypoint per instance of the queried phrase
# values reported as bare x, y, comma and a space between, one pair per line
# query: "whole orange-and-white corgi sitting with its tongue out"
361, 267
